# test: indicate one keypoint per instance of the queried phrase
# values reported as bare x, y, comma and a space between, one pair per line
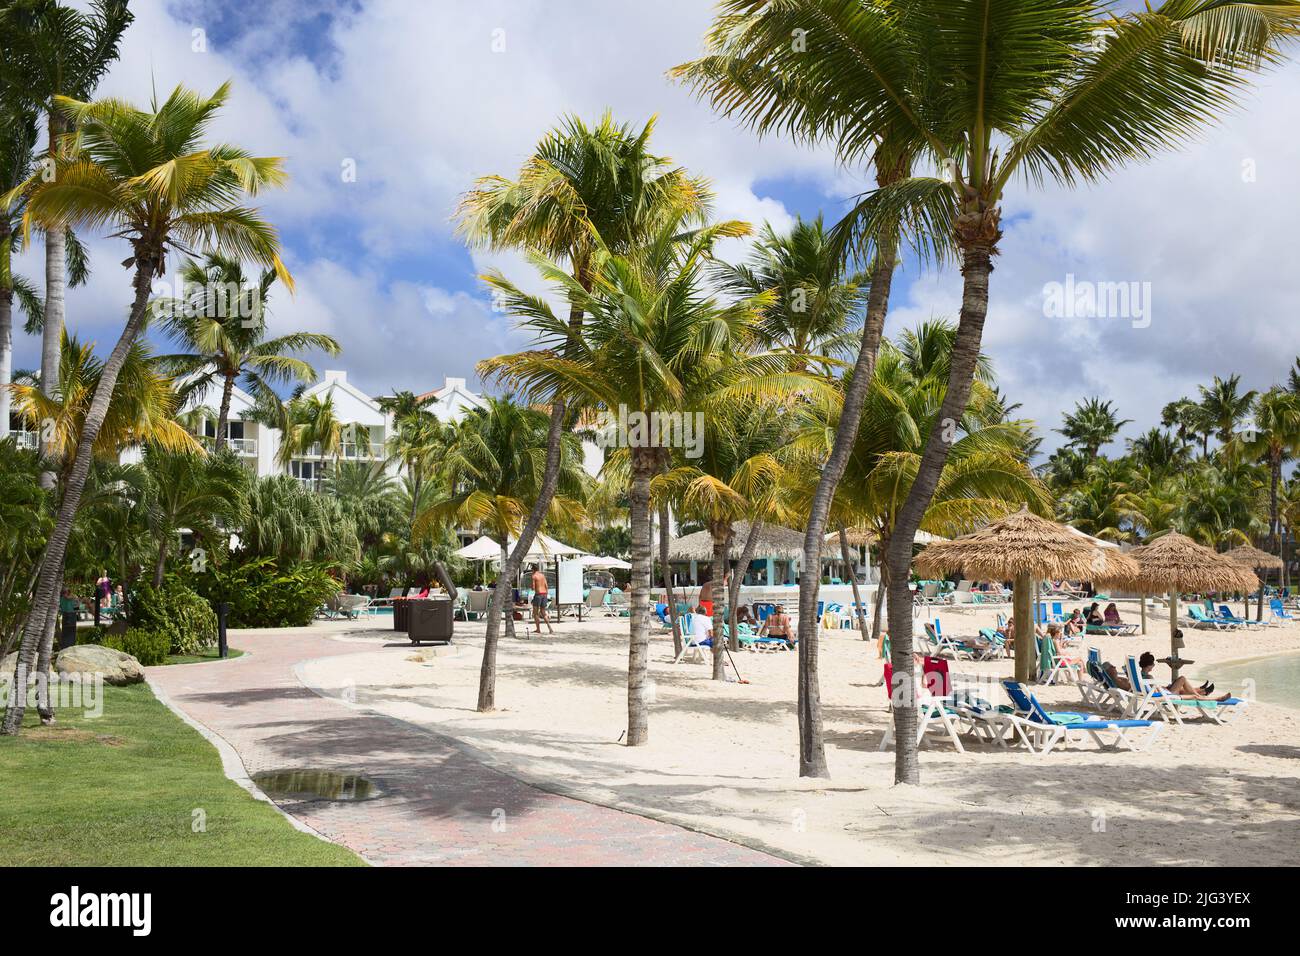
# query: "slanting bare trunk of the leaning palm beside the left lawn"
57, 548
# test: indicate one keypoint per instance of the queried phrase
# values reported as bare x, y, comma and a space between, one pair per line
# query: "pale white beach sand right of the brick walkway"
723, 756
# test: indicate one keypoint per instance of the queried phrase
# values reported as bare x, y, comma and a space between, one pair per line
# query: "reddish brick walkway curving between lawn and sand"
439, 806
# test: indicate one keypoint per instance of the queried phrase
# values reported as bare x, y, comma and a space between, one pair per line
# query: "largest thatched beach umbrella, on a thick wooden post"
1021, 547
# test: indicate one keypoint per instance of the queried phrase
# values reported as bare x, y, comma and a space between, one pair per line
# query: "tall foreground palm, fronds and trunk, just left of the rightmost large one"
757, 71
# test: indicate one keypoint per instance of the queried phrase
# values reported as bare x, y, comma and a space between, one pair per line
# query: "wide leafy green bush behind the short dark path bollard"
262, 595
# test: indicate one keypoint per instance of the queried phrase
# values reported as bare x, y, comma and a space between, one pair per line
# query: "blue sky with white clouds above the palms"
422, 98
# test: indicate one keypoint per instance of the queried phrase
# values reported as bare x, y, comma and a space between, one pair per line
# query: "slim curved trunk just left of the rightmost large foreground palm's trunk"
812, 749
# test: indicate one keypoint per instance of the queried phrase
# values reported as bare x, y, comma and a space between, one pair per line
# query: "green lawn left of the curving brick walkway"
122, 790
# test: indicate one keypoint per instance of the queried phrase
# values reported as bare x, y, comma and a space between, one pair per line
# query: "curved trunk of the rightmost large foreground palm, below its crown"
977, 266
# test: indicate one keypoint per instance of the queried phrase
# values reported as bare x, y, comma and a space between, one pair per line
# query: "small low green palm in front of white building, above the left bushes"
190, 491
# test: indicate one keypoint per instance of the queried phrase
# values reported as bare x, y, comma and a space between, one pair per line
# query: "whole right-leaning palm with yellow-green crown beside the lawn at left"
148, 178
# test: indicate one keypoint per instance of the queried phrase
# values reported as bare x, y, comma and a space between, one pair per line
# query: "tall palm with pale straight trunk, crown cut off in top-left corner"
55, 53
